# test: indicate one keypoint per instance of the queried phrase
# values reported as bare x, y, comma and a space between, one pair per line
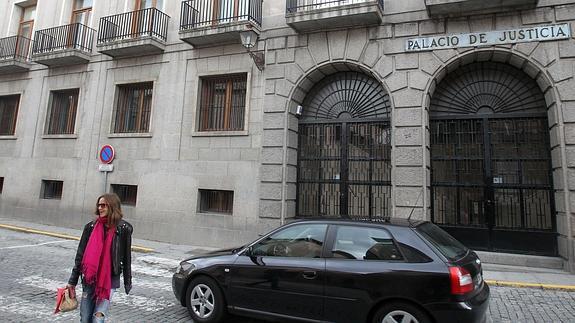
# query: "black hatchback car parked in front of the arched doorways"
339, 271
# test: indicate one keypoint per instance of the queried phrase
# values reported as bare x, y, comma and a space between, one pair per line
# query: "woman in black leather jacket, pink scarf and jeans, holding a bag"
103, 254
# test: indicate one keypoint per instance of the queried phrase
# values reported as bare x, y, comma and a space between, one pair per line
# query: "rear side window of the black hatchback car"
364, 243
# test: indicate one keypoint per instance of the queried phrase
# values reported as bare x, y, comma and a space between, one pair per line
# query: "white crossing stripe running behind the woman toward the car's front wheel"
141, 302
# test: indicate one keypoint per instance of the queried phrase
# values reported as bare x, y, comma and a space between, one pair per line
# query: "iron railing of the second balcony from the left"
73, 36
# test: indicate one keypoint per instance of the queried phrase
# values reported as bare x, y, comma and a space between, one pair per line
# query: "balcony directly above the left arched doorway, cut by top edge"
309, 15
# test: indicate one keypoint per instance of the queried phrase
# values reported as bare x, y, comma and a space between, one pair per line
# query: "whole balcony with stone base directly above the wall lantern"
208, 22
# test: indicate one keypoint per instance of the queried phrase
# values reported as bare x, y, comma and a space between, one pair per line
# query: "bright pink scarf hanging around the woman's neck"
97, 260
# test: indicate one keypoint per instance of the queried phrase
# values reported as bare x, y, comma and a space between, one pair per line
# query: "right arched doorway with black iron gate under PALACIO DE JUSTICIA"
491, 183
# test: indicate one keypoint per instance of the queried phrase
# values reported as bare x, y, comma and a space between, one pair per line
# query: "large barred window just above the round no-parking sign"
133, 107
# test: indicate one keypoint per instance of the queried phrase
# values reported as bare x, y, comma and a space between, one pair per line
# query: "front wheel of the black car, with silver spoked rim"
205, 301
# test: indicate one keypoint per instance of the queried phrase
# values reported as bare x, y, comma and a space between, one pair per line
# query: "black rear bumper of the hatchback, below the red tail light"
473, 310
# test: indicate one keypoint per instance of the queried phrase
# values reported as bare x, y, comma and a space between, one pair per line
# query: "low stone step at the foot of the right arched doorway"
497, 258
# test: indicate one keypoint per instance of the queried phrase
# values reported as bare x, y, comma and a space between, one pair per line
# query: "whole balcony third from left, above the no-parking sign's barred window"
136, 33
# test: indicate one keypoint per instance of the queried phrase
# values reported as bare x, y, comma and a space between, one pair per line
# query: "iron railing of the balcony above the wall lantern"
205, 13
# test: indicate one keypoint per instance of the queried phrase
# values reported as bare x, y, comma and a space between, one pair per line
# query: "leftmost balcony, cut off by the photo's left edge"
14, 54
